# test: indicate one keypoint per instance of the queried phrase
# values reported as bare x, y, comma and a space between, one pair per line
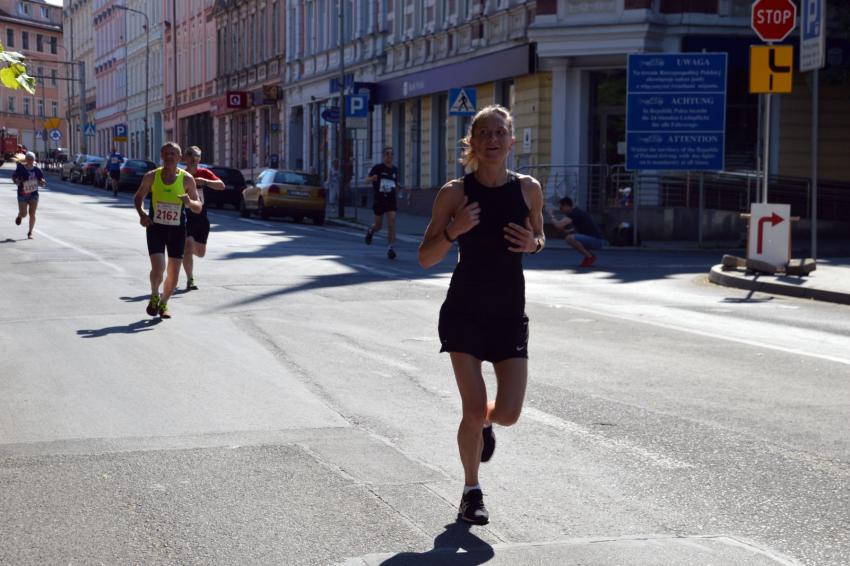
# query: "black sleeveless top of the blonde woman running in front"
488, 278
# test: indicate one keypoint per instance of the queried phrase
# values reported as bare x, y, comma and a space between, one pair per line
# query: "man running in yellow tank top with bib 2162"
172, 190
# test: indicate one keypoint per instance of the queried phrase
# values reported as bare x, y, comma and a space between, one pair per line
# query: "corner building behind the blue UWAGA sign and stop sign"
584, 45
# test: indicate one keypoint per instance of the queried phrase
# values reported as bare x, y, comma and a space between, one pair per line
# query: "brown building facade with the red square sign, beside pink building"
249, 108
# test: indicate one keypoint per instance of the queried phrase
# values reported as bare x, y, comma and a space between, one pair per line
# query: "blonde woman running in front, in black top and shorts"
495, 215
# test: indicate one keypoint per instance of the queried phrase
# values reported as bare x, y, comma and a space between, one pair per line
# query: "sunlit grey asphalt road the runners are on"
296, 410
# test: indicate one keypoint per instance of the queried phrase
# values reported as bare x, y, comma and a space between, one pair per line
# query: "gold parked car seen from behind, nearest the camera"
285, 193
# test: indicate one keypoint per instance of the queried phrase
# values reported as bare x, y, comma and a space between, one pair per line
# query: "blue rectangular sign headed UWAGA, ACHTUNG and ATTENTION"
676, 111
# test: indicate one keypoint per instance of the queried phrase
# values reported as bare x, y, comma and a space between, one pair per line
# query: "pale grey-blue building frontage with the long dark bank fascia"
406, 55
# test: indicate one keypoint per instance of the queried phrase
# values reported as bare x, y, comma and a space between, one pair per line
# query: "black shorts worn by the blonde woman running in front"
486, 337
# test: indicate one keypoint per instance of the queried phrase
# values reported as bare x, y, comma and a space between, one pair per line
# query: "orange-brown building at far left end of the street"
34, 28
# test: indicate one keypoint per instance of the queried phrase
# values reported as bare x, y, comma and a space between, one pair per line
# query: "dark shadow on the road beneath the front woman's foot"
457, 536
